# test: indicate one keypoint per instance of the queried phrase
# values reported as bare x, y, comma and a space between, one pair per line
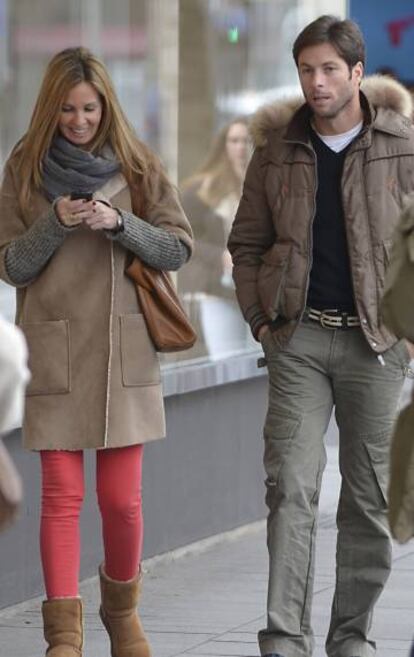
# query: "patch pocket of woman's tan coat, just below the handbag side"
139, 360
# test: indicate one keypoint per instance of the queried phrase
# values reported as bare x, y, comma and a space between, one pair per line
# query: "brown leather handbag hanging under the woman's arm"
168, 325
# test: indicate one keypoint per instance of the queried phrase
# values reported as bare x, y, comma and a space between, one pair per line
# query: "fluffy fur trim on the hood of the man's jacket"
381, 91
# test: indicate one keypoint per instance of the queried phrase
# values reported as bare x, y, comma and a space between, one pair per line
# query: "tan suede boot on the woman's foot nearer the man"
119, 615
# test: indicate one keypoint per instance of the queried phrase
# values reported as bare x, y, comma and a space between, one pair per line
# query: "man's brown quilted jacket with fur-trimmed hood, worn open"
271, 239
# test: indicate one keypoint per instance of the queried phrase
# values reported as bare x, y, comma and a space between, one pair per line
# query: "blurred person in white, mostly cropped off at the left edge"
13, 378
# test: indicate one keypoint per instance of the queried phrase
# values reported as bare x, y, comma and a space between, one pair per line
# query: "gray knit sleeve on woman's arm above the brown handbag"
156, 246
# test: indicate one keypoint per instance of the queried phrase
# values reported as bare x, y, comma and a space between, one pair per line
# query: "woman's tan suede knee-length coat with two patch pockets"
95, 375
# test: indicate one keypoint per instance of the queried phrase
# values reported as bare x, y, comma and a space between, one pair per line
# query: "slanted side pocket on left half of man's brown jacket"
272, 276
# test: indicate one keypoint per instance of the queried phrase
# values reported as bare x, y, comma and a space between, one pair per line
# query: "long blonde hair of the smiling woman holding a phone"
64, 71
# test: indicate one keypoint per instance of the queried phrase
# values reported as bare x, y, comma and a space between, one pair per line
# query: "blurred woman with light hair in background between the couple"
210, 199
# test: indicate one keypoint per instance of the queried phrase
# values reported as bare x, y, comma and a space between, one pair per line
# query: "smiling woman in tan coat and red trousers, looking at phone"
95, 375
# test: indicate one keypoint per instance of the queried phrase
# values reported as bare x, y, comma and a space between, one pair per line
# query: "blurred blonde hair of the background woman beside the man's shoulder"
217, 176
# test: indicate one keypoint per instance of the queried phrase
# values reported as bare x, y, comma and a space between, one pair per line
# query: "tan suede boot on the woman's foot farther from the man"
63, 629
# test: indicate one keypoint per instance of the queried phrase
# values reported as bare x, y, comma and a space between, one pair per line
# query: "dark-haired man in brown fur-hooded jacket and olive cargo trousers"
310, 246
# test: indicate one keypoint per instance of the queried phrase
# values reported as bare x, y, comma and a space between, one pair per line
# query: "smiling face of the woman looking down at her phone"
80, 114
